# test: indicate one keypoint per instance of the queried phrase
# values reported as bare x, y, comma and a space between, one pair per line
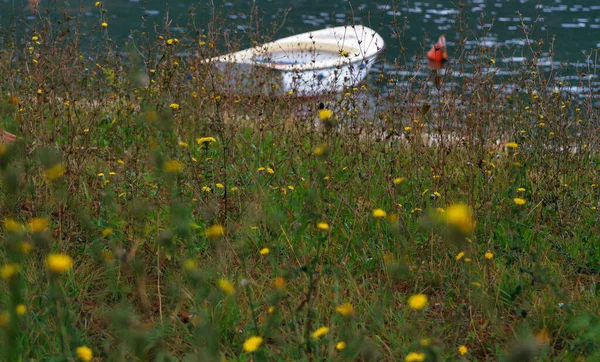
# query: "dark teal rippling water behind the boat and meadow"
507, 27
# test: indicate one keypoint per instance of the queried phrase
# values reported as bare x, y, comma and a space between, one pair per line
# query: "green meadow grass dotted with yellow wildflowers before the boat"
146, 217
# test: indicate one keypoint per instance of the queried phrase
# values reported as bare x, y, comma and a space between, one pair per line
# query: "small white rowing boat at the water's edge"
327, 60
